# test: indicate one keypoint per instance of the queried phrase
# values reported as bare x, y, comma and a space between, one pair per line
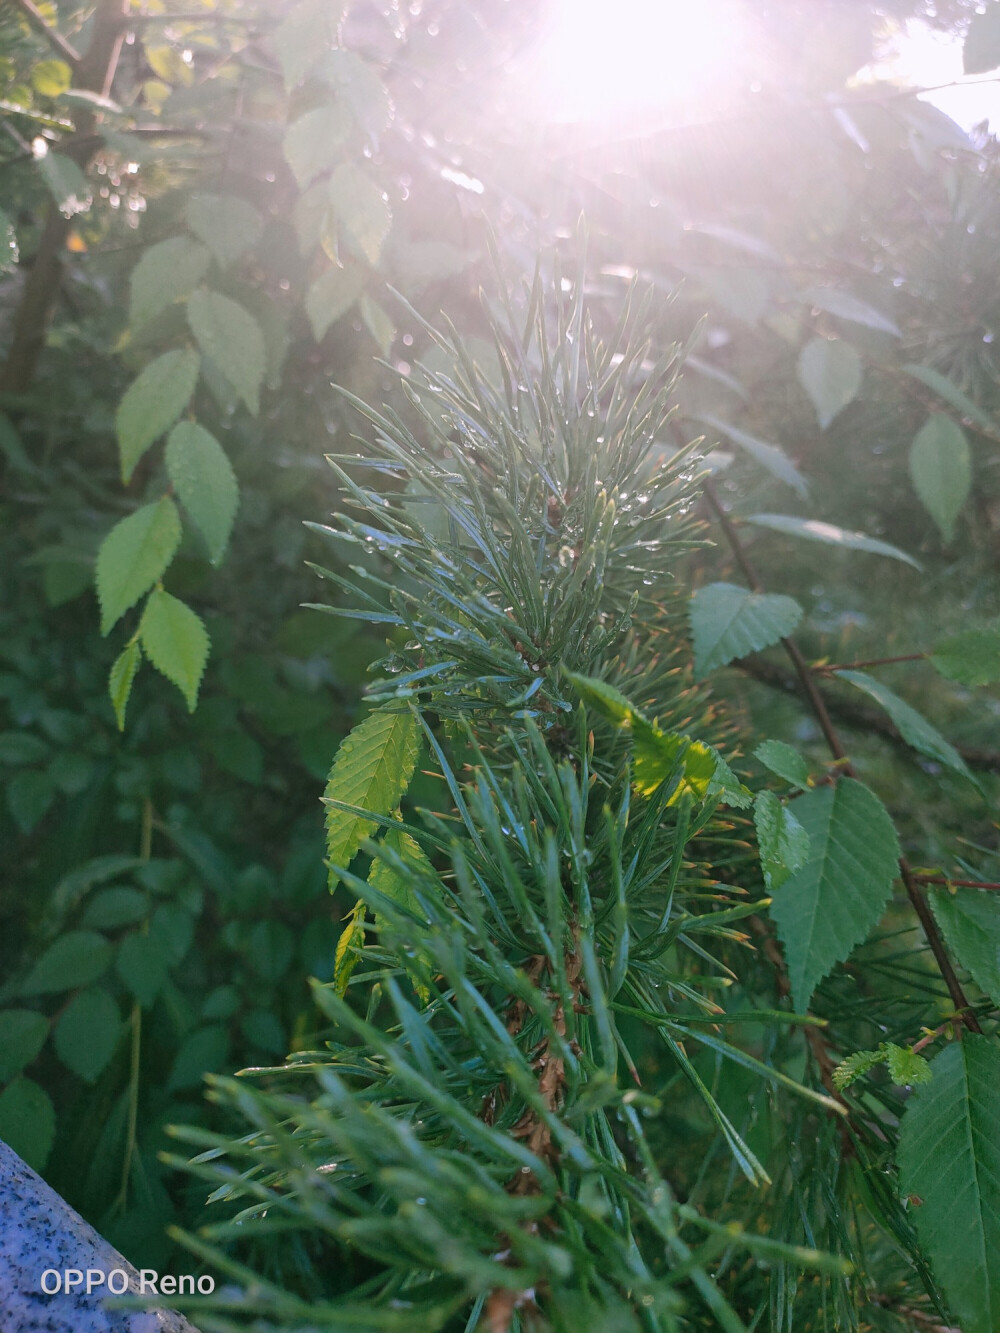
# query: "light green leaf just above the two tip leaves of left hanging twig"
134, 557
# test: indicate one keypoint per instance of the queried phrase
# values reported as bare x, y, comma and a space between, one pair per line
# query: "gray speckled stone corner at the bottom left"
39, 1234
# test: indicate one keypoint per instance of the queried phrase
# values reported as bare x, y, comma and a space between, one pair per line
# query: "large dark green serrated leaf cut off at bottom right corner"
950, 1159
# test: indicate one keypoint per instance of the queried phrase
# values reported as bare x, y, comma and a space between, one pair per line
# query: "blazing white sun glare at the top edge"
611, 61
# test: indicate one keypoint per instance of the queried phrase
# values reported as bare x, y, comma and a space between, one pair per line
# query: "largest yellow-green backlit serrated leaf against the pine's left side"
371, 771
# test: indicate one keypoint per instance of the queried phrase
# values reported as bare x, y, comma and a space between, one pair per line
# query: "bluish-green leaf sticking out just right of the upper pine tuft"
729, 622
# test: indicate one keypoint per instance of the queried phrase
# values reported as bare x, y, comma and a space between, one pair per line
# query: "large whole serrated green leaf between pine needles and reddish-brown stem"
831, 903
